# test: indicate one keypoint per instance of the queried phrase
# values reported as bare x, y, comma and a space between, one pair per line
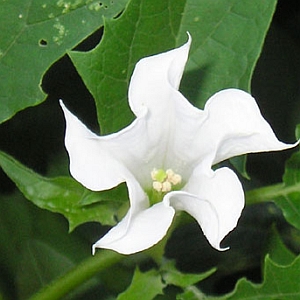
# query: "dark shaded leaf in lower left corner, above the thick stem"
35, 246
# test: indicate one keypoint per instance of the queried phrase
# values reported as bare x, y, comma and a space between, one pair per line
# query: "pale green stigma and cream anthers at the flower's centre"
163, 181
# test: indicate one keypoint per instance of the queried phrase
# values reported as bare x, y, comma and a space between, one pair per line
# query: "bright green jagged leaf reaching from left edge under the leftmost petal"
64, 195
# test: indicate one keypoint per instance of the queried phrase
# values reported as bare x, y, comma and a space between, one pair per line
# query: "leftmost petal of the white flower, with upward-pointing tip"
100, 163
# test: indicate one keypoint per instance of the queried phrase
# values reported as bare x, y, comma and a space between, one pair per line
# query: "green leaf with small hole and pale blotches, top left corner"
34, 35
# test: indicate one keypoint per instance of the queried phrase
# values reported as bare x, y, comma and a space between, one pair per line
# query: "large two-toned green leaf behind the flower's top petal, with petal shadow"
227, 40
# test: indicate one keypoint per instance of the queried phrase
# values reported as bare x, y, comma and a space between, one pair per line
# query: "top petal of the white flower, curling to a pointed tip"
155, 78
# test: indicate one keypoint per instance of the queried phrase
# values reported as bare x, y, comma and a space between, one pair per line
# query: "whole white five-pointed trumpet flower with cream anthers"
166, 155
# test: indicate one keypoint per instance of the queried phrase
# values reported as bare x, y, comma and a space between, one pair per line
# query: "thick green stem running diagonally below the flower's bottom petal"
75, 277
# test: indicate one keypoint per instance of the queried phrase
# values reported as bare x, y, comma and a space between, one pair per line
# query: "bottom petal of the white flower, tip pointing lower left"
138, 232
